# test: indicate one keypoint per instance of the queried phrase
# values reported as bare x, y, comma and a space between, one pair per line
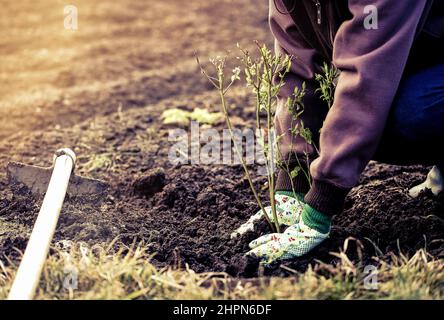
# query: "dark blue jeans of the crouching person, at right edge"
414, 131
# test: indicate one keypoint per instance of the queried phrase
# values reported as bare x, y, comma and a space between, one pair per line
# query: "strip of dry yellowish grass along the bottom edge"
101, 273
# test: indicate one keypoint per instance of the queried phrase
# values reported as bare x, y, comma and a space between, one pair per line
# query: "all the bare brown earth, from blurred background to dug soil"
101, 90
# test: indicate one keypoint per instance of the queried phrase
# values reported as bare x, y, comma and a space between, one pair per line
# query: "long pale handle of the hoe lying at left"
28, 274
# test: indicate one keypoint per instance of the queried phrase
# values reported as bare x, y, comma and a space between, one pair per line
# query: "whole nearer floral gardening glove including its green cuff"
297, 240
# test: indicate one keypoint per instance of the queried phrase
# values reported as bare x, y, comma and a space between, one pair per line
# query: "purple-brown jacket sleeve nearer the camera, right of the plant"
371, 64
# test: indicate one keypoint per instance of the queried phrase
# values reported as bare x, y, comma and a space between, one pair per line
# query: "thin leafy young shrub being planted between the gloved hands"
265, 76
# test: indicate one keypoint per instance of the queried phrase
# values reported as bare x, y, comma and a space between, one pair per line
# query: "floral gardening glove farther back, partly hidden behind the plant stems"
288, 210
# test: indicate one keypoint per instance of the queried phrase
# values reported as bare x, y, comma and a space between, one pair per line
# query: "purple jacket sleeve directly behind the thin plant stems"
305, 64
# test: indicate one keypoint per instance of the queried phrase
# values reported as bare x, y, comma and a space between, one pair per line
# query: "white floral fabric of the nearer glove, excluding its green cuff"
296, 241
